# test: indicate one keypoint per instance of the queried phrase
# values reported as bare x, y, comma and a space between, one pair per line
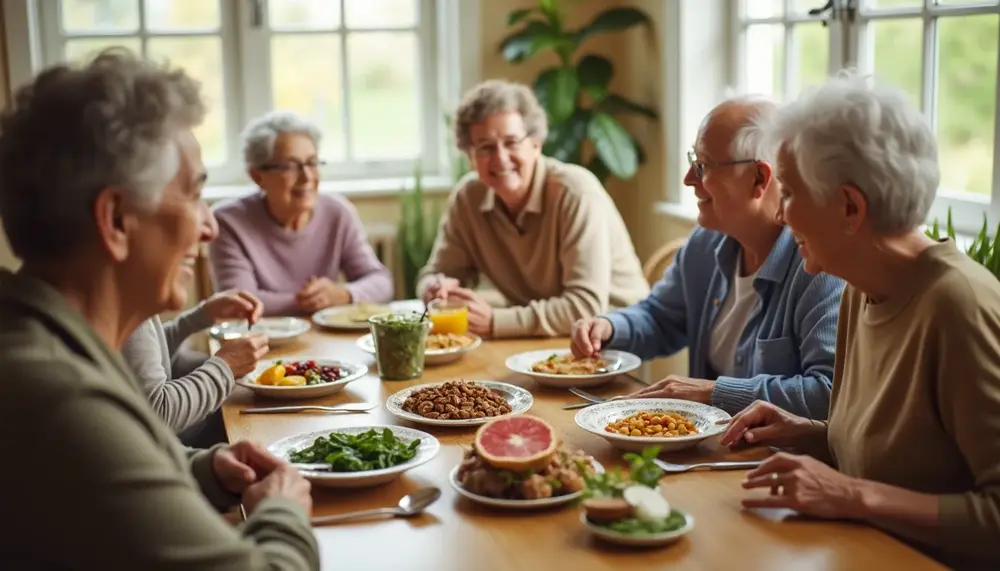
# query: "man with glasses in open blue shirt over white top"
757, 326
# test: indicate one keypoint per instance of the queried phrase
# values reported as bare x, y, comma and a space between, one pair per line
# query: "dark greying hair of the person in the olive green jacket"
74, 131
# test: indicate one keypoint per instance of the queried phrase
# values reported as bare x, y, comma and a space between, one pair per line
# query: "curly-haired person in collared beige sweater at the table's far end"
544, 233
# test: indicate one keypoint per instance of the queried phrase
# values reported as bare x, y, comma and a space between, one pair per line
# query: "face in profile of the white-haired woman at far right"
818, 228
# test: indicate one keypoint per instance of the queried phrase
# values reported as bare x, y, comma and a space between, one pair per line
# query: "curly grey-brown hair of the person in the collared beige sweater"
497, 96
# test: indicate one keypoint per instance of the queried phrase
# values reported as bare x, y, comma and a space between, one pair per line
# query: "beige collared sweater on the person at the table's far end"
566, 256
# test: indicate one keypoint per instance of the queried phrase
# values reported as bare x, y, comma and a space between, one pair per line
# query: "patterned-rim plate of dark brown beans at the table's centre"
459, 402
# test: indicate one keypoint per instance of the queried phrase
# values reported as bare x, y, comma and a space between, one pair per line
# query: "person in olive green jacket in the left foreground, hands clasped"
100, 196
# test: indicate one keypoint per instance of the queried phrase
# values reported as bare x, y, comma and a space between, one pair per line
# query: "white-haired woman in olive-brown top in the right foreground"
912, 443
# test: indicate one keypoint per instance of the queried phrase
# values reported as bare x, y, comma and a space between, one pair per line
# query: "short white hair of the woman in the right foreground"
852, 131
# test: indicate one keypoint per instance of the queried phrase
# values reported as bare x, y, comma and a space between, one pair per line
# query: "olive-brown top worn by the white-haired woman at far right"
916, 400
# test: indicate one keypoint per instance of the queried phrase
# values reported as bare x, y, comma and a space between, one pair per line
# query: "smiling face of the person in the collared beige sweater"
503, 154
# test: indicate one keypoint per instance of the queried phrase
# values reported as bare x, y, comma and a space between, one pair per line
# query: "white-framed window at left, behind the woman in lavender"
368, 72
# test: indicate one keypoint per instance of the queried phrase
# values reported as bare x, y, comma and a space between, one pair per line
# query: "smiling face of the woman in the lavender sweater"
290, 180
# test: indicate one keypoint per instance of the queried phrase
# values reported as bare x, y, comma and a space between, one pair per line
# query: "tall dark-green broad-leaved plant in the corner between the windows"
576, 93
